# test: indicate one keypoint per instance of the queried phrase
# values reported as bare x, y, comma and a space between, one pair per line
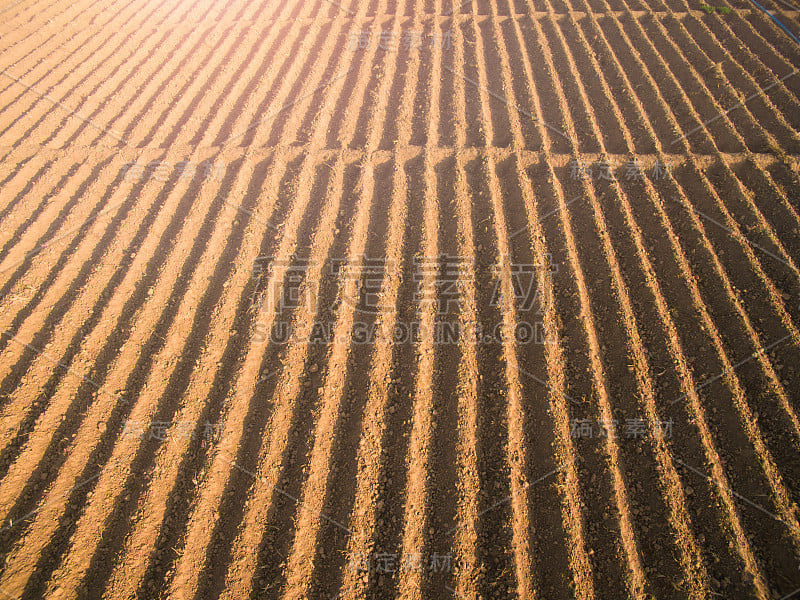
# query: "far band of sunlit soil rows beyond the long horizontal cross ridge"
147, 87
